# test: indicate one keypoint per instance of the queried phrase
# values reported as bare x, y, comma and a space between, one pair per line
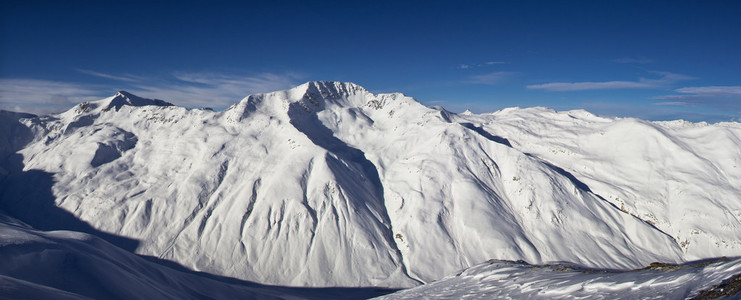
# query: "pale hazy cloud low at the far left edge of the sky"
45, 96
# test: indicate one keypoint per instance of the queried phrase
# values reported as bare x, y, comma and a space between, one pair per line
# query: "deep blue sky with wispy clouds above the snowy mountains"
655, 60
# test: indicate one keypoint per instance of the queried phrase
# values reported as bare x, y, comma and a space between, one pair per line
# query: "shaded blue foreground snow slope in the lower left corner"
73, 265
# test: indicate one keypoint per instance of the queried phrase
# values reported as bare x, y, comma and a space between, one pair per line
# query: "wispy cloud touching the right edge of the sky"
719, 97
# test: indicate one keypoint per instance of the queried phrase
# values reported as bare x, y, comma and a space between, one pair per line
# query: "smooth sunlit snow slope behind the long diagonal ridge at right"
680, 176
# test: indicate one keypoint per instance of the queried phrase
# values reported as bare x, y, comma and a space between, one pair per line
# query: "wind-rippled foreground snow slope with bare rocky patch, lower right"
498, 279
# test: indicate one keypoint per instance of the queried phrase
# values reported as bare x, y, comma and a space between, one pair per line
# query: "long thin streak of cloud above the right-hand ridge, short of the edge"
666, 79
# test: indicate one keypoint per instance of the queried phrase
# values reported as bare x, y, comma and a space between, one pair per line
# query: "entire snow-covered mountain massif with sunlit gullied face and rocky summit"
327, 184
